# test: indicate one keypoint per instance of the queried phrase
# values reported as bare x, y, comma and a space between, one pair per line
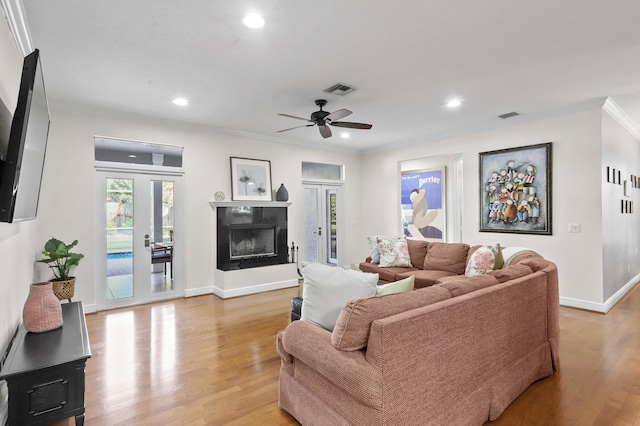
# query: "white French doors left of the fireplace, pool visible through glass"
139, 241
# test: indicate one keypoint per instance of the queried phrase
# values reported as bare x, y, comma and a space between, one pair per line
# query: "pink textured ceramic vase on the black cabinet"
42, 311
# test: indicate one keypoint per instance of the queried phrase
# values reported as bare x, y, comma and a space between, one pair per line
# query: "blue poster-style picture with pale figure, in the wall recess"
422, 204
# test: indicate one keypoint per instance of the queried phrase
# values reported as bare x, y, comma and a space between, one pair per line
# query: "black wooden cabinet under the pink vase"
45, 371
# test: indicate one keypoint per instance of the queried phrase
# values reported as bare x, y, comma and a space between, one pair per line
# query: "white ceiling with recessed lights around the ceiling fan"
407, 59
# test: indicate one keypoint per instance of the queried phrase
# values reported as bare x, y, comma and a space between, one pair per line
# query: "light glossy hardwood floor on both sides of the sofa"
207, 361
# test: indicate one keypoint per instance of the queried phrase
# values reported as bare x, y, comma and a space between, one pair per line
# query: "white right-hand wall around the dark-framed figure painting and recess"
576, 173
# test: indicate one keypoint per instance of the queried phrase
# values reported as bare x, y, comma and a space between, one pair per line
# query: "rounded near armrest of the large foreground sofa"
312, 346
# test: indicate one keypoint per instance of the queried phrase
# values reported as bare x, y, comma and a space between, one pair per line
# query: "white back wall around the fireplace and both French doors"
67, 201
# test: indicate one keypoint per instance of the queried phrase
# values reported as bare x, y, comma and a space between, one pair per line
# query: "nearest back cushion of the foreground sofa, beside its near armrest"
351, 332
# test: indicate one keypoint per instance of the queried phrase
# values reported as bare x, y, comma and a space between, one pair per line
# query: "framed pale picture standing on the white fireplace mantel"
250, 179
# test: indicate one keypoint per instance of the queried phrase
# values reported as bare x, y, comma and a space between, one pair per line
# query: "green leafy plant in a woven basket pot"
60, 259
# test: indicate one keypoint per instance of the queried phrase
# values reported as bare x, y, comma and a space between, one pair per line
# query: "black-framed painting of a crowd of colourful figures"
515, 190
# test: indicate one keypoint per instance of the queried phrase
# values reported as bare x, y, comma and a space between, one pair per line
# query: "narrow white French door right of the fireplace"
323, 223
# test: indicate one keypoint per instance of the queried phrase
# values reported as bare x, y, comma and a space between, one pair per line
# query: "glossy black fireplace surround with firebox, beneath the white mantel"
250, 237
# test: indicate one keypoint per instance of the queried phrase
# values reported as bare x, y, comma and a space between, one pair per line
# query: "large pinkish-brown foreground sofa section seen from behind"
456, 352
